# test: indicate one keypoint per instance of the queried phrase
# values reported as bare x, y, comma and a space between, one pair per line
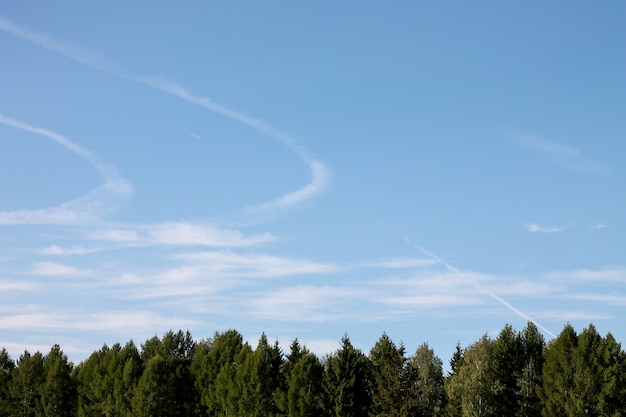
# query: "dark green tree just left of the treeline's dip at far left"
58, 391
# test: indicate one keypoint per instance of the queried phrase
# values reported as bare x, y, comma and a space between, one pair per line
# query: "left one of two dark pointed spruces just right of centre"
348, 382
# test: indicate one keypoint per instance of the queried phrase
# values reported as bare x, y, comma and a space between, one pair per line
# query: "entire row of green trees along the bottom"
515, 374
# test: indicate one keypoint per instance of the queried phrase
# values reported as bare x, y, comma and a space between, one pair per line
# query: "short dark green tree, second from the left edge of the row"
25, 388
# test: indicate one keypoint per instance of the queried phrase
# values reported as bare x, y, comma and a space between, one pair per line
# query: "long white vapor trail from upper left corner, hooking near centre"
320, 173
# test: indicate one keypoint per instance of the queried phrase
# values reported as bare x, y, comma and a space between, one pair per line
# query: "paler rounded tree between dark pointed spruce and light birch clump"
427, 393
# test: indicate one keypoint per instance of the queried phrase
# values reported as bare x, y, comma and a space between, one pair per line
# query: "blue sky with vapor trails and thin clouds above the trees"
434, 171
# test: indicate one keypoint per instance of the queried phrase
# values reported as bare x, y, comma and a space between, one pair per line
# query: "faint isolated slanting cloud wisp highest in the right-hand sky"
562, 155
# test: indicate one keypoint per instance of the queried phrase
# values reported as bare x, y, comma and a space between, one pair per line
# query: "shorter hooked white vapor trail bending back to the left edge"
101, 200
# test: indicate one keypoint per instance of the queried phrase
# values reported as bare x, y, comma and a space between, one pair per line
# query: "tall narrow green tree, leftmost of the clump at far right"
558, 394
